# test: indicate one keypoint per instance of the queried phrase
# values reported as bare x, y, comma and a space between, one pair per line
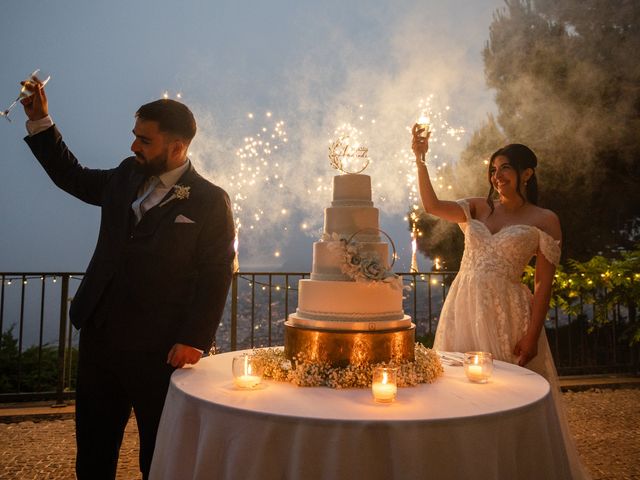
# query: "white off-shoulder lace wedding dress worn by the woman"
488, 308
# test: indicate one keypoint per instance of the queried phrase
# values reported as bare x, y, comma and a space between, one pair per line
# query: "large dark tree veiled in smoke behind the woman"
567, 85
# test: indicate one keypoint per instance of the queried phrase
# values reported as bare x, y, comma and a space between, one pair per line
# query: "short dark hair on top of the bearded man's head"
172, 117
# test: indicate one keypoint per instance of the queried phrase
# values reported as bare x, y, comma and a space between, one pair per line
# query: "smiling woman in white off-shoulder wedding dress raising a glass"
487, 307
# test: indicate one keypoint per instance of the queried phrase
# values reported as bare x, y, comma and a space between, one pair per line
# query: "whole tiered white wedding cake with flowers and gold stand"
350, 310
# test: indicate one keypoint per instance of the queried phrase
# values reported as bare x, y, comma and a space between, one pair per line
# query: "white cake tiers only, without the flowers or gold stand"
331, 299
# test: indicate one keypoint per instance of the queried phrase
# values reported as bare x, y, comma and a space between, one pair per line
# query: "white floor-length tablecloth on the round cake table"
505, 429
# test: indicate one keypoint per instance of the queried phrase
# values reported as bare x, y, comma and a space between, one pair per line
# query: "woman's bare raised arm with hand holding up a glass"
445, 209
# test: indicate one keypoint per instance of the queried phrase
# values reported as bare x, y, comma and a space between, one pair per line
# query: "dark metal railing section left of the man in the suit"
38, 360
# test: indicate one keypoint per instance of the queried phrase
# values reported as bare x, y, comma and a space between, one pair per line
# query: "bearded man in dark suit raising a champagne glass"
154, 292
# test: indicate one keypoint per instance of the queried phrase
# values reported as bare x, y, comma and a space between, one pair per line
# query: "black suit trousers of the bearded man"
110, 383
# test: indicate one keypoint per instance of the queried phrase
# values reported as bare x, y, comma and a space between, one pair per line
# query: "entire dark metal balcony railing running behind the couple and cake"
38, 345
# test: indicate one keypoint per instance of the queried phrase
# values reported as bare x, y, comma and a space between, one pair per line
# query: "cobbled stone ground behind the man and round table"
605, 424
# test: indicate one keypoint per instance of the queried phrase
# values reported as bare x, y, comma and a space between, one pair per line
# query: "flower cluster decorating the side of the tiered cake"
360, 265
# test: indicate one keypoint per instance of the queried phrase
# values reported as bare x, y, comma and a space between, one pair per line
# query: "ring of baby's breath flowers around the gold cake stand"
425, 368
